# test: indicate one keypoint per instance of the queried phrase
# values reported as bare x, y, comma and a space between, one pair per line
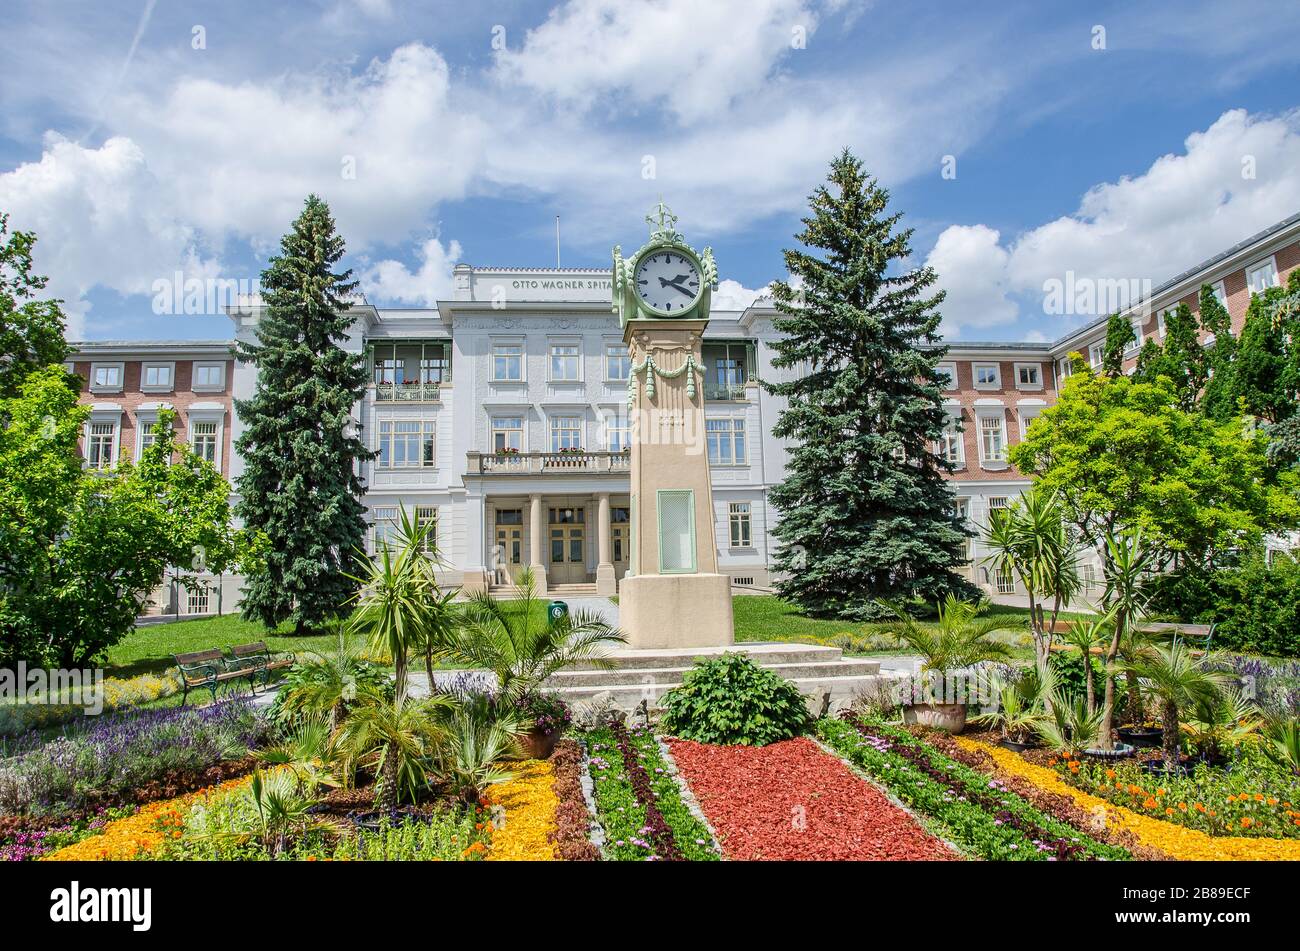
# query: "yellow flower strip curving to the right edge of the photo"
1176, 841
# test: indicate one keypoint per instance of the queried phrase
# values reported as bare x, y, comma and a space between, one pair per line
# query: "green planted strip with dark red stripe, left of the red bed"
639, 801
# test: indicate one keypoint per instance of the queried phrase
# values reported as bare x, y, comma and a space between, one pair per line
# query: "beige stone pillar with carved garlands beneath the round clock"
678, 600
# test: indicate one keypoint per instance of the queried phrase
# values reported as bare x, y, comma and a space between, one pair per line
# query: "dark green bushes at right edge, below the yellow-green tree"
1255, 606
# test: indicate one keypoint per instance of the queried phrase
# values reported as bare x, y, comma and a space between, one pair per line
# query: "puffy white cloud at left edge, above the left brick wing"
101, 218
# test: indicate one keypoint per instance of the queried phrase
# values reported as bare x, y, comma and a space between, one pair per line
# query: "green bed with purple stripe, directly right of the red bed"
980, 815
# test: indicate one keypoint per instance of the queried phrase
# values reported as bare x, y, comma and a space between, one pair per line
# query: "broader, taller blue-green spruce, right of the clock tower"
865, 511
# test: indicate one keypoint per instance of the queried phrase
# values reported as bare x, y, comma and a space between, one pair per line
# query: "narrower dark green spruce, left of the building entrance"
300, 485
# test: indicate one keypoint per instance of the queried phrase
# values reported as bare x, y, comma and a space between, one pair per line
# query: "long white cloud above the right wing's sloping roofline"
1145, 229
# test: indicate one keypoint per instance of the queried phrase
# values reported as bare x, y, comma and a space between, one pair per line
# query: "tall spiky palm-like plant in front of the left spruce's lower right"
395, 596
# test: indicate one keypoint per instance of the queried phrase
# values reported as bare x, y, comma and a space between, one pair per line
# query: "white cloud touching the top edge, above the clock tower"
692, 58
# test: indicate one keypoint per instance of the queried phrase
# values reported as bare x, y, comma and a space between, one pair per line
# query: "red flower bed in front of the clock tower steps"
792, 801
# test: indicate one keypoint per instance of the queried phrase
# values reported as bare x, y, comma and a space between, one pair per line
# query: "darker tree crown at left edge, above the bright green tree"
32, 331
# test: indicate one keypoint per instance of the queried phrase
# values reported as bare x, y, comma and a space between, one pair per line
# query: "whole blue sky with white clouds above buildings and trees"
1123, 141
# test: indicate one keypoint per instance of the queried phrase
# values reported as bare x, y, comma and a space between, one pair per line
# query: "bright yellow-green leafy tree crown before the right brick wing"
1123, 454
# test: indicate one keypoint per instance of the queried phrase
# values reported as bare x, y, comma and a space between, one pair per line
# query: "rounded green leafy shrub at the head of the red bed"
733, 701
